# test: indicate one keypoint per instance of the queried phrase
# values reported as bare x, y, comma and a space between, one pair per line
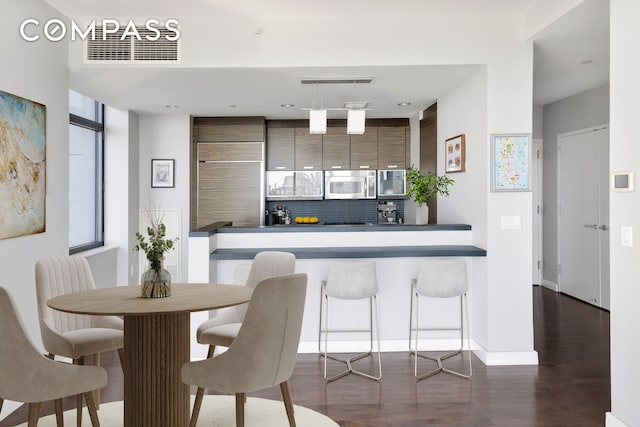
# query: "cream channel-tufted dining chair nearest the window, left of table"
73, 336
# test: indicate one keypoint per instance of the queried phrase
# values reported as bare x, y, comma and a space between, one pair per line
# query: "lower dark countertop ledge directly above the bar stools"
356, 252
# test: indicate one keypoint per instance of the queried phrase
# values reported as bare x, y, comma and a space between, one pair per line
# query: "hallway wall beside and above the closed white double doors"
586, 109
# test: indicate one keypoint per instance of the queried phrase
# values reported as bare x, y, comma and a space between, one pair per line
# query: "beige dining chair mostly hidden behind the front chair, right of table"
222, 329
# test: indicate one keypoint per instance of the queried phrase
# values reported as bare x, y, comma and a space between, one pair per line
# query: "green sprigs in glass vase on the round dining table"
156, 281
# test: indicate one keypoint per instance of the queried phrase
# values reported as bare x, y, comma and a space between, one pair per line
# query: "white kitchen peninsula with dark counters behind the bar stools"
216, 251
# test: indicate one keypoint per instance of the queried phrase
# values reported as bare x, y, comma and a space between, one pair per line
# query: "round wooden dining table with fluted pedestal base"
156, 342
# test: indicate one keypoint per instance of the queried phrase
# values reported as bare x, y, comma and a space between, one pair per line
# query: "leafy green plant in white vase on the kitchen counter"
423, 187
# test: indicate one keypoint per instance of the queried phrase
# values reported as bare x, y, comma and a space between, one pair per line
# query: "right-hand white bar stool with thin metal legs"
441, 278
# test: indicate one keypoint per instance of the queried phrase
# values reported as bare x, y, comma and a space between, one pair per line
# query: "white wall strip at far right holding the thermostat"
624, 208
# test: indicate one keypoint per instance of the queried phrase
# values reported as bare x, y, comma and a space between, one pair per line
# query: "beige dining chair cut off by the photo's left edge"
29, 377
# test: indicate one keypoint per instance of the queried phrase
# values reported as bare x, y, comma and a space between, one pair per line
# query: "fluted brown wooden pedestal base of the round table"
156, 347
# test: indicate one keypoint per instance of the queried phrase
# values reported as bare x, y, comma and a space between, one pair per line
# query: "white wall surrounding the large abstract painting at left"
37, 71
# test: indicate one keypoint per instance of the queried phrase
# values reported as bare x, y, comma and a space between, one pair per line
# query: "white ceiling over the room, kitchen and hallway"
580, 35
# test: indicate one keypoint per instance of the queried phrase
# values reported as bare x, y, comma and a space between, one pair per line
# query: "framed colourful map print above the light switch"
511, 162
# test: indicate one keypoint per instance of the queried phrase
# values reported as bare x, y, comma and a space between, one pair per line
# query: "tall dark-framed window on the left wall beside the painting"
86, 130
